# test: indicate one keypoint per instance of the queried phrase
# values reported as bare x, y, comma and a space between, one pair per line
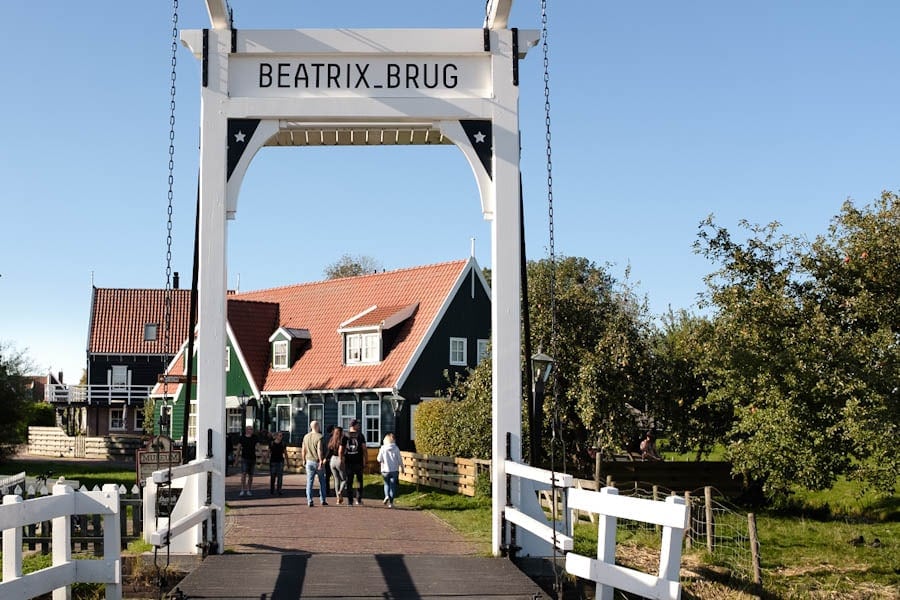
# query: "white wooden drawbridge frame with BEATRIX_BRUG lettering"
249, 100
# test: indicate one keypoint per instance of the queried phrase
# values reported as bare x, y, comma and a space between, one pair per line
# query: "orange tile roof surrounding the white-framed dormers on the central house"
322, 306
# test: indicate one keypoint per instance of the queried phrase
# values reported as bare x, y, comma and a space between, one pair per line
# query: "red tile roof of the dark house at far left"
118, 317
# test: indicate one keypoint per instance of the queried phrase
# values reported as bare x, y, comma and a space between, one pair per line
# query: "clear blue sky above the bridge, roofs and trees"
663, 112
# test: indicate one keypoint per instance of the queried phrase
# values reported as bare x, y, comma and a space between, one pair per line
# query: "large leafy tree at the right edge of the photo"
804, 348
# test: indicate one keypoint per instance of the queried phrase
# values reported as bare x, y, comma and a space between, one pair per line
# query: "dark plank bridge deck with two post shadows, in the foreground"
351, 576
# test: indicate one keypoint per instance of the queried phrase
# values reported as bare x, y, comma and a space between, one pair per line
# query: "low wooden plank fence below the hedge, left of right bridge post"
457, 475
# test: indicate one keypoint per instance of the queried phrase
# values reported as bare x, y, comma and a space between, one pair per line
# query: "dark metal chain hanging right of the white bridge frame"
552, 250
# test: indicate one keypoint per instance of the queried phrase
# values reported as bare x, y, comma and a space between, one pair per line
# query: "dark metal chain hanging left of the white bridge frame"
161, 572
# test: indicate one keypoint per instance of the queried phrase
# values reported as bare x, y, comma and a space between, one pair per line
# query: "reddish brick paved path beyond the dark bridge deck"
266, 523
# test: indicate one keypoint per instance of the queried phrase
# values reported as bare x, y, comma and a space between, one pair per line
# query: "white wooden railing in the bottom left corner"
59, 508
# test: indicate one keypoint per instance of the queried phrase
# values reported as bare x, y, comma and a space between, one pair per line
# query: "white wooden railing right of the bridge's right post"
672, 515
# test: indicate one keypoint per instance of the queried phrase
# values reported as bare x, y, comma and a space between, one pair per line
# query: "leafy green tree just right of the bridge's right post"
601, 352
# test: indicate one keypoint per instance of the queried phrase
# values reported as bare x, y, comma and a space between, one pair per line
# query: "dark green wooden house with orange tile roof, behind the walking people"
370, 348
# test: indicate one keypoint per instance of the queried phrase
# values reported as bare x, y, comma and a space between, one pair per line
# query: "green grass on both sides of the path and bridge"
837, 544
